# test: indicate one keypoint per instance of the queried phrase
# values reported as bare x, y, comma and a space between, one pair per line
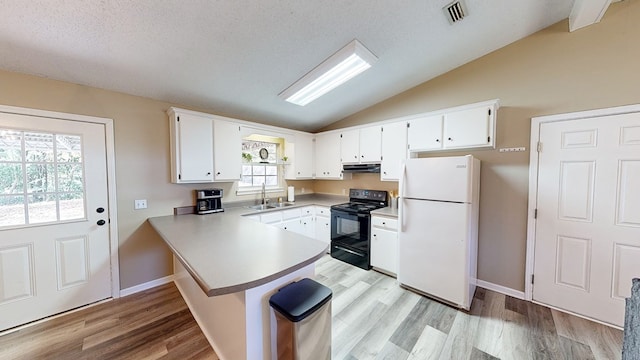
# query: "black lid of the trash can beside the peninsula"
300, 299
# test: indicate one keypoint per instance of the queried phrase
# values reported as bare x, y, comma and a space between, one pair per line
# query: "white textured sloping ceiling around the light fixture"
235, 57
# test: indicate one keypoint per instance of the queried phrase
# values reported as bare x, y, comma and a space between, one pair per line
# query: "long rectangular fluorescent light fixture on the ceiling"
345, 64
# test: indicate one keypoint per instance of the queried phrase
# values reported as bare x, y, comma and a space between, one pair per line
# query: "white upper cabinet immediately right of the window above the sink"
300, 157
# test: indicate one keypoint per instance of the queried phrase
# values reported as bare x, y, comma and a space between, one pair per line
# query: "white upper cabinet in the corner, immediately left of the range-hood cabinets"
327, 164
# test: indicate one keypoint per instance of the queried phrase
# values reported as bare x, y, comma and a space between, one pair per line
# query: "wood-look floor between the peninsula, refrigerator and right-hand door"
373, 318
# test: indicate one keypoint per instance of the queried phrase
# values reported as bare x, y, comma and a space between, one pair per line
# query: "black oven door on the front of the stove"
350, 238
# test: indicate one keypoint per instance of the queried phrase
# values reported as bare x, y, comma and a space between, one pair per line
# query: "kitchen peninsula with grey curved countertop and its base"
227, 266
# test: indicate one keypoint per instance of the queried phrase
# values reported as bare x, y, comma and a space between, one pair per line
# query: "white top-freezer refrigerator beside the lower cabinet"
438, 230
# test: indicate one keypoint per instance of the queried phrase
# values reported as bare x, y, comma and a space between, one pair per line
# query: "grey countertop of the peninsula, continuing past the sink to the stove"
227, 253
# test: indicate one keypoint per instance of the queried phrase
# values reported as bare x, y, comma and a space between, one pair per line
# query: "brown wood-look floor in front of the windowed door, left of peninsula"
153, 324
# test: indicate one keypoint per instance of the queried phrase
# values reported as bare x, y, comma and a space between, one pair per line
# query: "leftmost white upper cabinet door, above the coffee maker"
192, 147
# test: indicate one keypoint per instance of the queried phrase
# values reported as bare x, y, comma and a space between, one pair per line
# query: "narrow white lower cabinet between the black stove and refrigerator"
384, 244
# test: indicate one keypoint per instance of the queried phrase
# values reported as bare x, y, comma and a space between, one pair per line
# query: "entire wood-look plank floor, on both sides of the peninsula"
373, 318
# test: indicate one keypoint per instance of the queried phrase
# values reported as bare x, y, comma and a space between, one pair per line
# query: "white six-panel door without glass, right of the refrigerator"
587, 246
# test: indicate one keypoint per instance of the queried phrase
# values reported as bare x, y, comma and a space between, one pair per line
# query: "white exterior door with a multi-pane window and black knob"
54, 232
